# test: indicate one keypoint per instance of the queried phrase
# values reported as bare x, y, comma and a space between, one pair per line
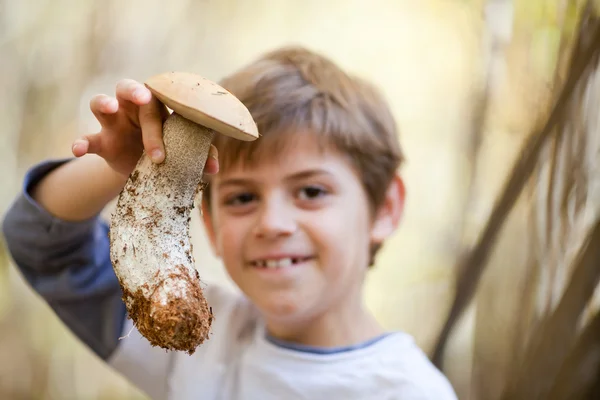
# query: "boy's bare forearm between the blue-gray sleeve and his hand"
79, 189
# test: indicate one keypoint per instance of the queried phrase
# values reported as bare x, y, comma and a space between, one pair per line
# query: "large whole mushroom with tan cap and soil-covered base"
150, 246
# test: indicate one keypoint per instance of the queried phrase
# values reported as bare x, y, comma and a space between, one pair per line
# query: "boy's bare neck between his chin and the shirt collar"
329, 329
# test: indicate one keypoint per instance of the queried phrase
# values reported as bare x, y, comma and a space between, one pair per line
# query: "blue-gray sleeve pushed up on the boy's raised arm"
68, 264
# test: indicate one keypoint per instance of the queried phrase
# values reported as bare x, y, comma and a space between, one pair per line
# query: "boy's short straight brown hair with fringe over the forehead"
293, 91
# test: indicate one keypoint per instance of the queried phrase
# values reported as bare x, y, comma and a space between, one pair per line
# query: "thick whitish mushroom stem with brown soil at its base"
150, 240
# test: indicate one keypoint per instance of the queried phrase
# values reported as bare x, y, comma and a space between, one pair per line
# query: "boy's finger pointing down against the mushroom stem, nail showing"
151, 123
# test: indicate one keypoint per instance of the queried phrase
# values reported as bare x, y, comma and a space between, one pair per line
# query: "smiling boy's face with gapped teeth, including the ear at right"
294, 231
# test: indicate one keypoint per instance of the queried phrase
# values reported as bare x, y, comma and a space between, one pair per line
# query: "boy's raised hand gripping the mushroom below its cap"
130, 123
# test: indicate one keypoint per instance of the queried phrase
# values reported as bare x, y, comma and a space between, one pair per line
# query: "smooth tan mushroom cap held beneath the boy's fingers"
204, 102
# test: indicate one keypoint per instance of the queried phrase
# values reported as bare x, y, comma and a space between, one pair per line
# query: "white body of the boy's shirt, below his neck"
240, 362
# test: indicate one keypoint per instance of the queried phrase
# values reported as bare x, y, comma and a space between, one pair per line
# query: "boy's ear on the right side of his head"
390, 212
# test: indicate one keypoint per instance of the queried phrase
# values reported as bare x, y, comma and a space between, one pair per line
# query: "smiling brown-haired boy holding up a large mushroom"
296, 216
